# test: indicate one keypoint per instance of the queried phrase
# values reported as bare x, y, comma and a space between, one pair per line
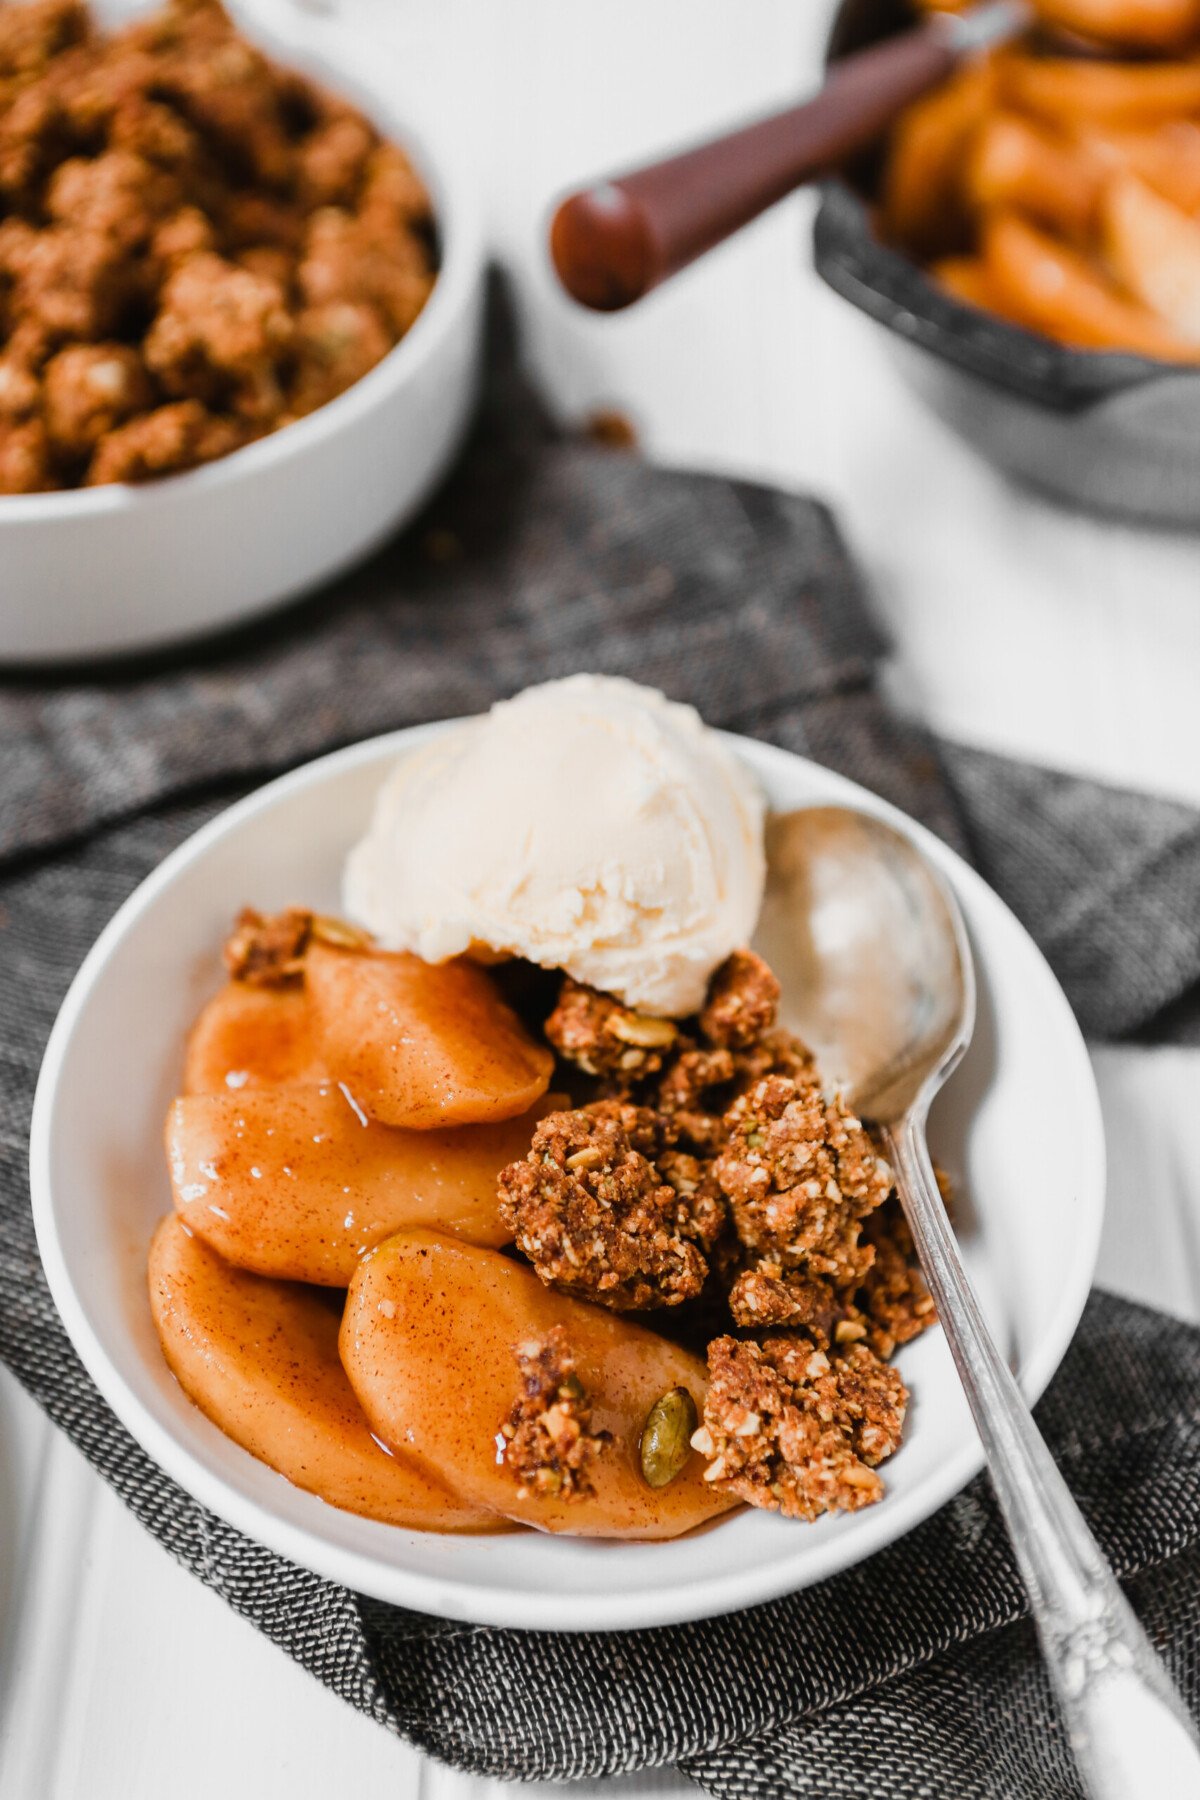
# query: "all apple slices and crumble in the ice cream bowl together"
472, 1248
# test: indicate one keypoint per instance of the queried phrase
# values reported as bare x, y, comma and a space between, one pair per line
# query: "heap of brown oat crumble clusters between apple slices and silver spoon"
715, 1165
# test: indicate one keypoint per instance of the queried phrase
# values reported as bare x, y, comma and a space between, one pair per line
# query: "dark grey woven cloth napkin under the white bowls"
911, 1675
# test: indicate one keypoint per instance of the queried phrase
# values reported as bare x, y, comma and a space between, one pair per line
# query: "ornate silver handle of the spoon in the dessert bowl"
1127, 1723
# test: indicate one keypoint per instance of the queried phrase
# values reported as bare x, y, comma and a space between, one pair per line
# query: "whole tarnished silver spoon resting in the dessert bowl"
873, 957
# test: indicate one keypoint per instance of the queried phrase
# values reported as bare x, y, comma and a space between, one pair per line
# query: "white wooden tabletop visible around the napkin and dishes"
1016, 627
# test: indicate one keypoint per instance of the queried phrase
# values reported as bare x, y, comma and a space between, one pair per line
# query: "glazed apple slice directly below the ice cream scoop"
424, 1045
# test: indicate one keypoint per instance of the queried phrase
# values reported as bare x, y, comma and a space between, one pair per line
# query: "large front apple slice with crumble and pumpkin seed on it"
429, 1342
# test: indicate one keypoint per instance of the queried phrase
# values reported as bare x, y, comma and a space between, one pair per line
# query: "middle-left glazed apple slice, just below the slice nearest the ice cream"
298, 1183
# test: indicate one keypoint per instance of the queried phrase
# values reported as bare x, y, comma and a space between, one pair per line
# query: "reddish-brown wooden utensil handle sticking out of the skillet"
616, 242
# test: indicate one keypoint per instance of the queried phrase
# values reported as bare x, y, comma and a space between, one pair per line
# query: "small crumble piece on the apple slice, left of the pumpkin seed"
548, 1441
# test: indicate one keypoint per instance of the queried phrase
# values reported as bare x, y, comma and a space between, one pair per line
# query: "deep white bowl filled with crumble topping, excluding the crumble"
114, 570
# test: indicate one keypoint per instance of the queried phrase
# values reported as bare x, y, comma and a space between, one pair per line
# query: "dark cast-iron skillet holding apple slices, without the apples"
1102, 429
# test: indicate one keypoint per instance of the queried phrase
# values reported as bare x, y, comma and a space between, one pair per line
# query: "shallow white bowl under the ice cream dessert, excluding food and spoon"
1019, 1128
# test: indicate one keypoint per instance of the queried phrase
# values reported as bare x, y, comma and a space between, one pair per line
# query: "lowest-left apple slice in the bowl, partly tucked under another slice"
262, 1362
